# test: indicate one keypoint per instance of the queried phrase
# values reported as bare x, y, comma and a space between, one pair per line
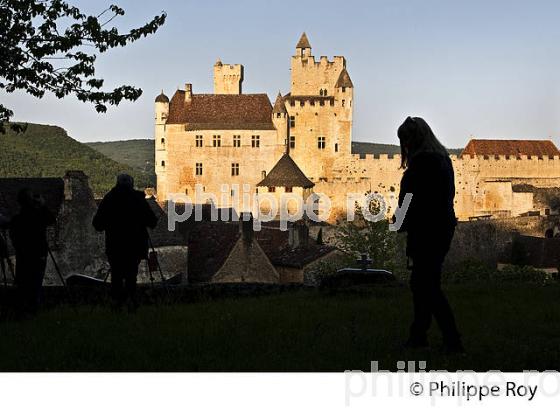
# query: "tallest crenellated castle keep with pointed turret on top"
320, 107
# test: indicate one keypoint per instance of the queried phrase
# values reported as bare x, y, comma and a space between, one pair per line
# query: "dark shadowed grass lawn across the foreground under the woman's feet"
509, 327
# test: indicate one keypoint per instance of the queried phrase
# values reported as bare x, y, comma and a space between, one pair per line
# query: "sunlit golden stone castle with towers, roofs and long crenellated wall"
304, 142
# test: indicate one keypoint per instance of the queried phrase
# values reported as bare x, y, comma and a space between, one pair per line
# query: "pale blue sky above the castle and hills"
489, 69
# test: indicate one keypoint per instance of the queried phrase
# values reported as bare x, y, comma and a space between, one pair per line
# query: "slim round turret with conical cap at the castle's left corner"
162, 113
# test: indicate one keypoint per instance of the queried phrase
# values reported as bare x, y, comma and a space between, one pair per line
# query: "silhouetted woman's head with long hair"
416, 136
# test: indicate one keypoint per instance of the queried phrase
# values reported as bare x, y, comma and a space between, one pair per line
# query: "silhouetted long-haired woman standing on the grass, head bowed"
430, 223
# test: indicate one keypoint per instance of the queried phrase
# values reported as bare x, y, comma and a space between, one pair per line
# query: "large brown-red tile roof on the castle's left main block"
221, 111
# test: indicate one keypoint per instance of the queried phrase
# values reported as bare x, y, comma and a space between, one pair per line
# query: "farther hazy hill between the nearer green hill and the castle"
138, 154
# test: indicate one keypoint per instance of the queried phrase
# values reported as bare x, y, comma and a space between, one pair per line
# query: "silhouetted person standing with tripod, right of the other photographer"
124, 215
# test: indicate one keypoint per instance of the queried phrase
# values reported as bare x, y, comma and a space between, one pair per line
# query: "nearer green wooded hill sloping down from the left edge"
48, 151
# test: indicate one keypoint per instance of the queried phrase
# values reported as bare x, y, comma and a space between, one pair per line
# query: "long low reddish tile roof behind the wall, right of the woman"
537, 148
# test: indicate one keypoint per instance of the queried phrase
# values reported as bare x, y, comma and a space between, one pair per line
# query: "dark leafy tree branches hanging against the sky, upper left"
51, 46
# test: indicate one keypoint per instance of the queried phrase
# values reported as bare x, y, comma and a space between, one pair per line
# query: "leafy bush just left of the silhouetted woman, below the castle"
366, 237
